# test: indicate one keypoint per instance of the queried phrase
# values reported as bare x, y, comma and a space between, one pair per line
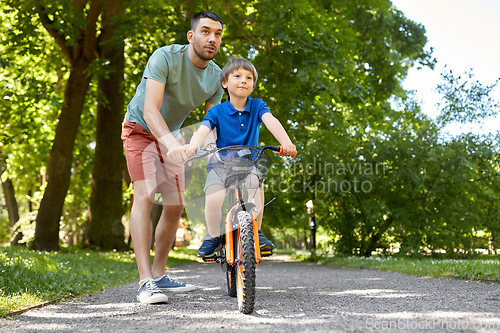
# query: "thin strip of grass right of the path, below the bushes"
485, 269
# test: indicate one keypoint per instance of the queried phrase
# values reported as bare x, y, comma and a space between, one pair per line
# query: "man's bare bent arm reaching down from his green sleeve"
156, 123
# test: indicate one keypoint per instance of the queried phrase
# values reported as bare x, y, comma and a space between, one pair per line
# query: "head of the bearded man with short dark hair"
206, 38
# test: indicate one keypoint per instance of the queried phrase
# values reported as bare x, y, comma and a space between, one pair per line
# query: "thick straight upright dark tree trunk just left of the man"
105, 228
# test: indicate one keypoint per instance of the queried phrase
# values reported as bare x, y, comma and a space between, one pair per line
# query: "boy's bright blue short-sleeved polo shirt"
236, 127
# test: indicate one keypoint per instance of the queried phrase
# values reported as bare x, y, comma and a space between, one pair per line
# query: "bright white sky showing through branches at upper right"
465, 34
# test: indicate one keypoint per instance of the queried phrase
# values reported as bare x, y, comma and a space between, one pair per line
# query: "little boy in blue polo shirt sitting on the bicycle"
237, 122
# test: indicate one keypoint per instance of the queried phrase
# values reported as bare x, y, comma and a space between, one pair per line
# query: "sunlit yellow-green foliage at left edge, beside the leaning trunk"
30, 96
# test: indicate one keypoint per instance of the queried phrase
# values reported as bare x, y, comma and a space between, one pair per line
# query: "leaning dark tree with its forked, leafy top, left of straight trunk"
73, 26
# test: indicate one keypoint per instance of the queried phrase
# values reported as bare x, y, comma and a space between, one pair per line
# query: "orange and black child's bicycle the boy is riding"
239, 168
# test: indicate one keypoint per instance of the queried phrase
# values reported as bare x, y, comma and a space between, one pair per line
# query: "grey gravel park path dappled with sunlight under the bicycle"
291, 297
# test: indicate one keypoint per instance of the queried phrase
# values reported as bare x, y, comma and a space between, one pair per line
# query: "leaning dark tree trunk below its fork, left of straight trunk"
61, 157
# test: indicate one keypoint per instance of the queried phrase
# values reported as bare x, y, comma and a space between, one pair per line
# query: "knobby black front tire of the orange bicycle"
245, 269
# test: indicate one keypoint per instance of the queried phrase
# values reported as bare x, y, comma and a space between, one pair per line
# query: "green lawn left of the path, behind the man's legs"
29, 278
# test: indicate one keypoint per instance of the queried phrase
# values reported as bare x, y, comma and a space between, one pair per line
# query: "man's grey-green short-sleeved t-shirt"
186, 86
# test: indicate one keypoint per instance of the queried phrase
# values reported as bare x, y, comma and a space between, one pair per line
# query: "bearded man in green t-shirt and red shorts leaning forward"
177, 79
